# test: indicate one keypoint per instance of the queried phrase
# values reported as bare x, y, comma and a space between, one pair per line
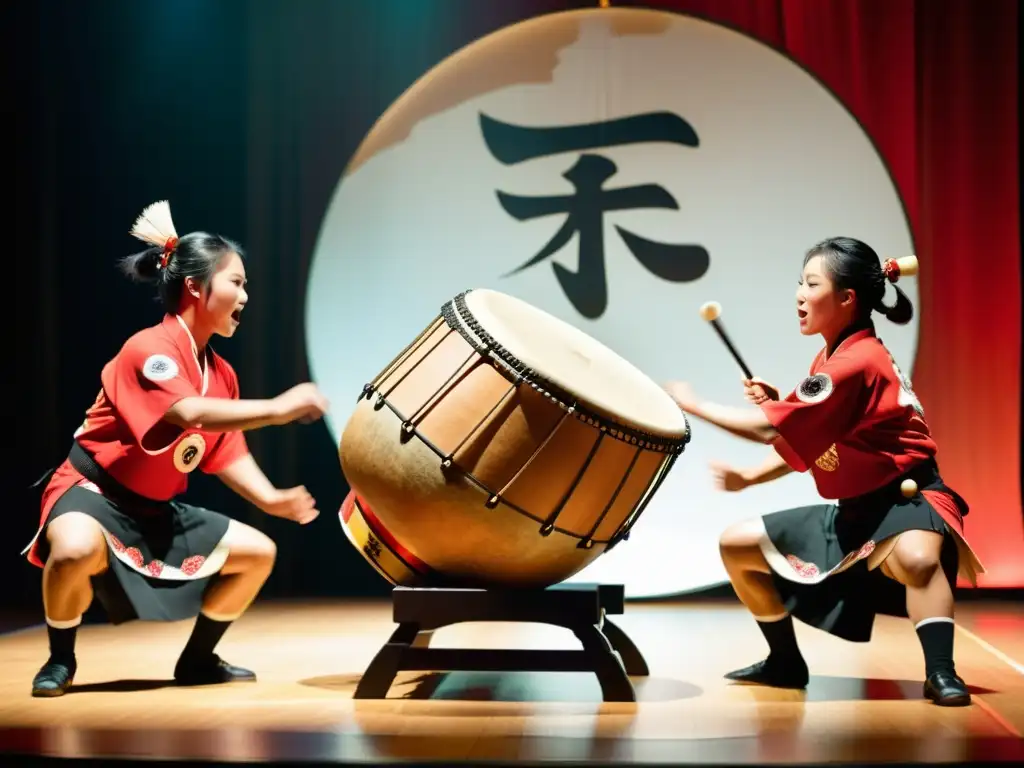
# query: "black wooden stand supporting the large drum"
582, 609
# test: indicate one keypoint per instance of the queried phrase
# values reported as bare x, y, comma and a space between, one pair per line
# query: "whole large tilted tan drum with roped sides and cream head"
503, 448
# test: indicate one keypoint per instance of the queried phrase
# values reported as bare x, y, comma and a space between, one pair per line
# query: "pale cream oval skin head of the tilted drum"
577, 363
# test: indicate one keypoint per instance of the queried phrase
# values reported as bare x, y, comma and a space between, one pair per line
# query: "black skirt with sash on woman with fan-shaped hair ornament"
161, 556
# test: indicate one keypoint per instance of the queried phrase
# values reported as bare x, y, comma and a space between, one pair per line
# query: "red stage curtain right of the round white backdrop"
935, 84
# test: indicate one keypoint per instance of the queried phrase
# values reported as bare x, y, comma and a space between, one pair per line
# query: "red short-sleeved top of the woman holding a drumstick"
856, 422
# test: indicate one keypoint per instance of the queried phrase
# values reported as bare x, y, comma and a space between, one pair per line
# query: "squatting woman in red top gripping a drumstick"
893, 543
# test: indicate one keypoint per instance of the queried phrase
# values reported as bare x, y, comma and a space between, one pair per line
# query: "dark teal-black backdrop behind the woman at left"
244, 114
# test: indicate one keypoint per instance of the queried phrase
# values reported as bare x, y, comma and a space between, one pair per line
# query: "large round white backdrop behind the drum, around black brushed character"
779, 165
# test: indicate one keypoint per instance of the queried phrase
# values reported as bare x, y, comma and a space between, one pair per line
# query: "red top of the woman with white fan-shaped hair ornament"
124, 431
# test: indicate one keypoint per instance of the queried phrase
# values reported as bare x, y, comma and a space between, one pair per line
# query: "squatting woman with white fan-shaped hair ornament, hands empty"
168, 404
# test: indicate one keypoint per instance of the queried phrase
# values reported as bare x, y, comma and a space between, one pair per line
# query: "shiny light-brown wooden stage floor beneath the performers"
864, 704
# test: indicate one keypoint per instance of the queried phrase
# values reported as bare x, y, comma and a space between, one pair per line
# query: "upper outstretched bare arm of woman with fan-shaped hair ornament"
226, 415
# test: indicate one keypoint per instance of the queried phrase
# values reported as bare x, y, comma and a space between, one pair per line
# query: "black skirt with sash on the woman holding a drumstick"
825, 559
